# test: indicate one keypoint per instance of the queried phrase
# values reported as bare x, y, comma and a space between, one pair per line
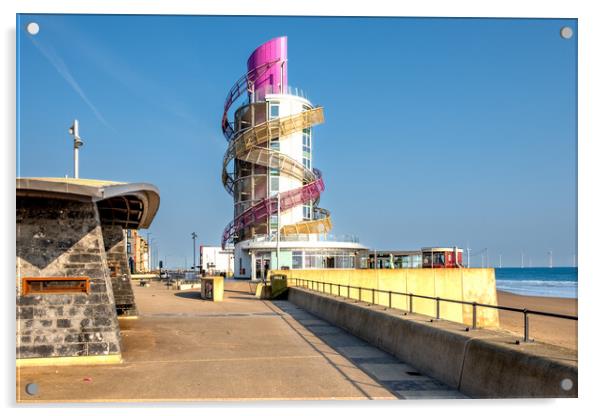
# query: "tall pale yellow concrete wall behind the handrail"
471, 285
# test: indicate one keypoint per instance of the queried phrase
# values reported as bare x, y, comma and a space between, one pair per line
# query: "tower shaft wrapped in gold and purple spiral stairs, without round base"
267, 167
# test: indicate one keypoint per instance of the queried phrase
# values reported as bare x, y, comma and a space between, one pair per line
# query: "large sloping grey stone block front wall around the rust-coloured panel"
58, 237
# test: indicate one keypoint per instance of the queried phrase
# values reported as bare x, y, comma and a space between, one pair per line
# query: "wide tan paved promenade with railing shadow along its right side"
185, 349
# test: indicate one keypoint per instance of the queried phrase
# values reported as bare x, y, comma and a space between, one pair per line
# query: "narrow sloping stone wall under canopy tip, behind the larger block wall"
115, 248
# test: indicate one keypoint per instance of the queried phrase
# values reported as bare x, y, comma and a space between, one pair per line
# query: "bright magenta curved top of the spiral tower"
270, 55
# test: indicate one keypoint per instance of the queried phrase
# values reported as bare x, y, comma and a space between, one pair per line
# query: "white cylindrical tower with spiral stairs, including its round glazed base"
268, 169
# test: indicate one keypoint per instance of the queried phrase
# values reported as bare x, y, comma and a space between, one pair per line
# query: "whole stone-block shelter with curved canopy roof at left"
73, 279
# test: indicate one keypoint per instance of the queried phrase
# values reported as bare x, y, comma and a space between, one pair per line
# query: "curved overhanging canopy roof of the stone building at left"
131, 205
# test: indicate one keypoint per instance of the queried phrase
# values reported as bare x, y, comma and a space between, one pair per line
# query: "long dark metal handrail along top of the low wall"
526, 312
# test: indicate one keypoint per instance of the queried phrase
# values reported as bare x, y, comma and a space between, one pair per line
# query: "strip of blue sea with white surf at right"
559, 282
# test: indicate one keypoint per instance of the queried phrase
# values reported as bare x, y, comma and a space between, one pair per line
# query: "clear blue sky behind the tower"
438, 131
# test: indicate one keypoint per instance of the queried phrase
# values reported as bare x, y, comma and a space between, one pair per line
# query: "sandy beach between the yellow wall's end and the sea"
549, 330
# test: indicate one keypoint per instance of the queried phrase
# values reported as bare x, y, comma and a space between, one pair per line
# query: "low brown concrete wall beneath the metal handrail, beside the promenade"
481, 364
